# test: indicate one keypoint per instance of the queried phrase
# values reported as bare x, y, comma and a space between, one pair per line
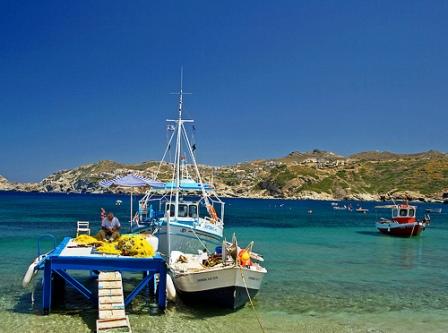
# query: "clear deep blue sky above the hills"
82, 81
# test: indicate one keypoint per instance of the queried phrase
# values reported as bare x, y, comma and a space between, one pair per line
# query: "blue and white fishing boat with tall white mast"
185, 209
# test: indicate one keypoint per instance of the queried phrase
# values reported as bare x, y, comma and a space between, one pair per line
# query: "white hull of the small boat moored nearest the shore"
222, 287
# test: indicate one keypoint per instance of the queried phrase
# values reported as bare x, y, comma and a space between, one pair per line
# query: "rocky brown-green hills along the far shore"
317, 174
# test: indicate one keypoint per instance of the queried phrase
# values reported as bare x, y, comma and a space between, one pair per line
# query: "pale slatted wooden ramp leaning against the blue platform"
111, 310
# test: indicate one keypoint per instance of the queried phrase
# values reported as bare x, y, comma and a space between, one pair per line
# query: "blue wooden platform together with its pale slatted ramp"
67, 257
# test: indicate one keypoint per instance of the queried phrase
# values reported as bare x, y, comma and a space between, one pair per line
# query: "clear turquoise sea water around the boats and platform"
329, 271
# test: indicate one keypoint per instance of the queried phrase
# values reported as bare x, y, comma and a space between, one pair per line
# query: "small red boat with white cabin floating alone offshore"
403, 222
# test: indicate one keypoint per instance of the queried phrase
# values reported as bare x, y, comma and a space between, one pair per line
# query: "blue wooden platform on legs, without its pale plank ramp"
56, 265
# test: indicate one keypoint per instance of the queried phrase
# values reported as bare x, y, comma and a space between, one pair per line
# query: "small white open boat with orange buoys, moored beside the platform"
227, 278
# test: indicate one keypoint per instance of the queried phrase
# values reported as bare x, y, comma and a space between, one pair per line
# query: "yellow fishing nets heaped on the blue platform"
126, 245
